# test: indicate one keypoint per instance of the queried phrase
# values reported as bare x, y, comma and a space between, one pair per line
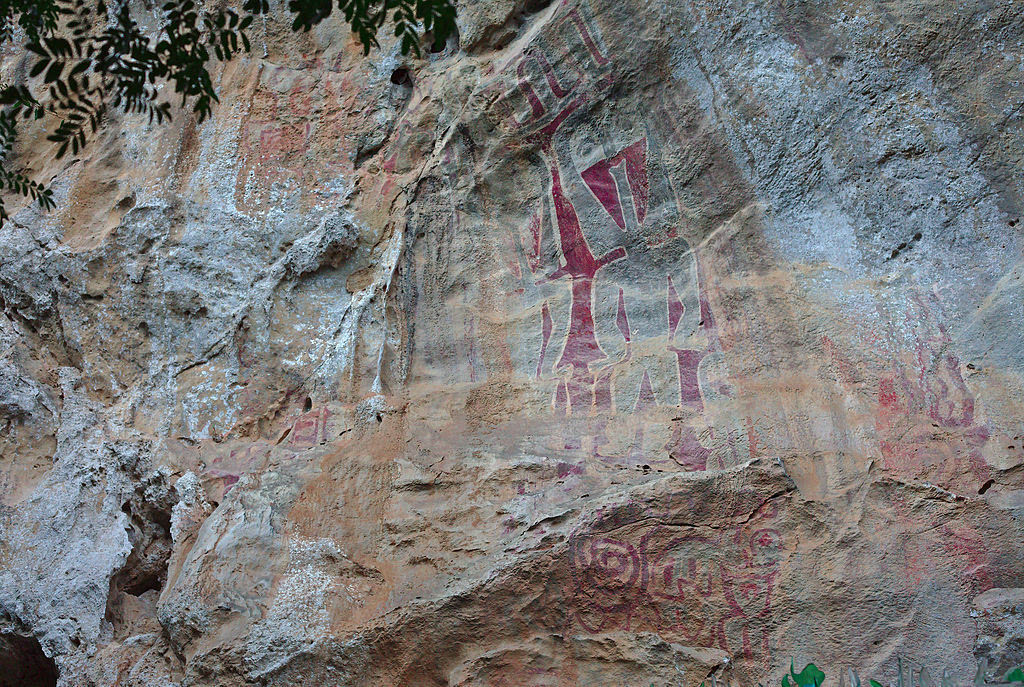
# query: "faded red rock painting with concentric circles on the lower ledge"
706, 587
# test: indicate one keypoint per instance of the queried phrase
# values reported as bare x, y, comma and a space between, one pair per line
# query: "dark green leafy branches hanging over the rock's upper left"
93, 58
